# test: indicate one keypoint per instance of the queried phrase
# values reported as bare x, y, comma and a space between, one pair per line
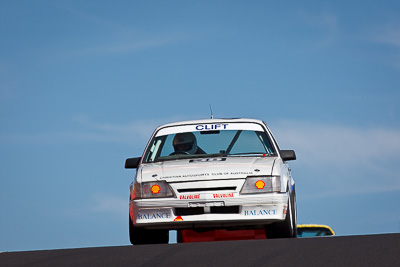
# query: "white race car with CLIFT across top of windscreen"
209, 174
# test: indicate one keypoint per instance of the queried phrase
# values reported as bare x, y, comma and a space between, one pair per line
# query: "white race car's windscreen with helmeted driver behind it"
212, 143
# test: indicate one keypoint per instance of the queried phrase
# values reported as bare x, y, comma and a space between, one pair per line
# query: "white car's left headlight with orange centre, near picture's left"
152, 189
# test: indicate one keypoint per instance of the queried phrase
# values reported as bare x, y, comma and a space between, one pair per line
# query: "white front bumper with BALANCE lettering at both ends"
209, 210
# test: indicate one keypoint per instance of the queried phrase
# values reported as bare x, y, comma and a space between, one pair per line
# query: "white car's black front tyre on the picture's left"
140, 236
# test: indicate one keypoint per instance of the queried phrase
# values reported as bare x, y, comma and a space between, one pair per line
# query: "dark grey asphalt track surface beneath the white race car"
367, 250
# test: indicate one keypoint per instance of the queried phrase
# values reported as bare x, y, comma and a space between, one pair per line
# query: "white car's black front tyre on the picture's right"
287, 228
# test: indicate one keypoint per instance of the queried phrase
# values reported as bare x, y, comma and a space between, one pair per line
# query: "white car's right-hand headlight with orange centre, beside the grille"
264, 184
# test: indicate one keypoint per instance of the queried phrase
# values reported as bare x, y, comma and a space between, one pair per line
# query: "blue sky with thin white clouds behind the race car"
84, 83
